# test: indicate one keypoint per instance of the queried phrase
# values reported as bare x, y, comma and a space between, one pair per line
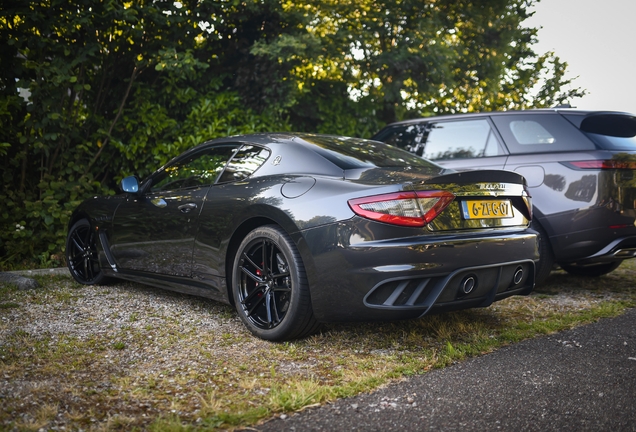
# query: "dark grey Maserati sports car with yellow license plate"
297, 229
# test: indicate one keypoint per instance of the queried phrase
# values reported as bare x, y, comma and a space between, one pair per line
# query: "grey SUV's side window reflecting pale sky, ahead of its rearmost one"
460, 140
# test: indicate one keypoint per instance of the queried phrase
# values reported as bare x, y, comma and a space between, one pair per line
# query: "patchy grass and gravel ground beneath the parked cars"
125, 357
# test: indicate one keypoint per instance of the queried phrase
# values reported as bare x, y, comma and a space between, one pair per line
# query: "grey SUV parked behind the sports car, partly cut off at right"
580, 167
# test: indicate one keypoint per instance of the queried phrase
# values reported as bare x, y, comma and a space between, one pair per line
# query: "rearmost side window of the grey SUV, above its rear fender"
540, 133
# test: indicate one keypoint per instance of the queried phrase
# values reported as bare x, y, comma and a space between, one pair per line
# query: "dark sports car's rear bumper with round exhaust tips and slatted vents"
407, 277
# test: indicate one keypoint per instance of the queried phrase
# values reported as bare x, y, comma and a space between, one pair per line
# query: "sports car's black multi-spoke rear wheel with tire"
270, 287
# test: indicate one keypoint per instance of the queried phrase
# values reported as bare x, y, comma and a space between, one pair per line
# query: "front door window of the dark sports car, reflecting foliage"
200, 169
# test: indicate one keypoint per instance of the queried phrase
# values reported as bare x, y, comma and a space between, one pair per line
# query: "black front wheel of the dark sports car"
81, 254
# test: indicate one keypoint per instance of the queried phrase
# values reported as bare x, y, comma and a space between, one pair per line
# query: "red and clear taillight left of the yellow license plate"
414, 209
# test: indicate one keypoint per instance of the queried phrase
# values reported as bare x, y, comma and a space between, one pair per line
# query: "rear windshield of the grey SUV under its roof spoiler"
608, 131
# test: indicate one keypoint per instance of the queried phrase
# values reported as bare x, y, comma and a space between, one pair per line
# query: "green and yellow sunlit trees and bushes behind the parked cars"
92, 90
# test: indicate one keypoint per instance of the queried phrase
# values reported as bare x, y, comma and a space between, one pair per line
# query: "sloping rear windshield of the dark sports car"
351, 153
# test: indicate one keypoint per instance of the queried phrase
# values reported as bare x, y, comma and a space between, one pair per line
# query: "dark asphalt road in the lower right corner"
578, 380
